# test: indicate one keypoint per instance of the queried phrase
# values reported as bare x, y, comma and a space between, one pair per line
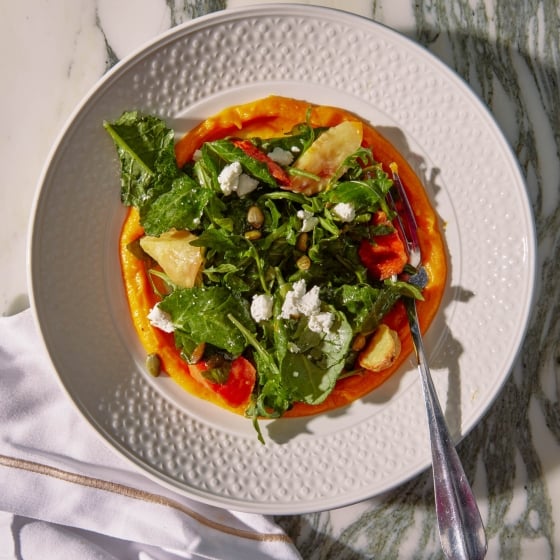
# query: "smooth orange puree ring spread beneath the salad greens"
272, 117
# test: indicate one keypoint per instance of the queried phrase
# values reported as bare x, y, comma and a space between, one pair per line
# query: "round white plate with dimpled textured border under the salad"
329, 460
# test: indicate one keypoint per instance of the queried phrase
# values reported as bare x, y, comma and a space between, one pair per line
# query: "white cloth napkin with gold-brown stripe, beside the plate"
69, 495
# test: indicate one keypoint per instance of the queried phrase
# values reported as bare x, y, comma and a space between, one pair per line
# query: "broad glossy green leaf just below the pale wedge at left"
202, 314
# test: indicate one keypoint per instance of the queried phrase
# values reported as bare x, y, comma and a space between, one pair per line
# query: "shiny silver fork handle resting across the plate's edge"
460, 525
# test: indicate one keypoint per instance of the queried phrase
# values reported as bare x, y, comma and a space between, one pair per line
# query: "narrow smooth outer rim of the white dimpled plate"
269, 11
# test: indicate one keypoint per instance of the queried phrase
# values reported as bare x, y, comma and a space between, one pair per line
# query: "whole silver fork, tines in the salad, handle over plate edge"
460, 525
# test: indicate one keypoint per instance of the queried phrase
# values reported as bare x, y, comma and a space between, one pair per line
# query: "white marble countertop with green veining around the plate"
509, 54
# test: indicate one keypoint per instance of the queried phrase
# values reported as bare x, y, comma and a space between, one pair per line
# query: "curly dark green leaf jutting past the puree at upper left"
145, 147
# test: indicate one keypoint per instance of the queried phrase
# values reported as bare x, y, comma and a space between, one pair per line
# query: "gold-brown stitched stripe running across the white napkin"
134, 493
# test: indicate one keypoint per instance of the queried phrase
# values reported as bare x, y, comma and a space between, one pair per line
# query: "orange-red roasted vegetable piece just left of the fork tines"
386, 255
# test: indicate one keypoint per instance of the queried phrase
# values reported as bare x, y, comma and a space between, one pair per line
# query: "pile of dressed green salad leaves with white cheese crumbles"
289, 292
